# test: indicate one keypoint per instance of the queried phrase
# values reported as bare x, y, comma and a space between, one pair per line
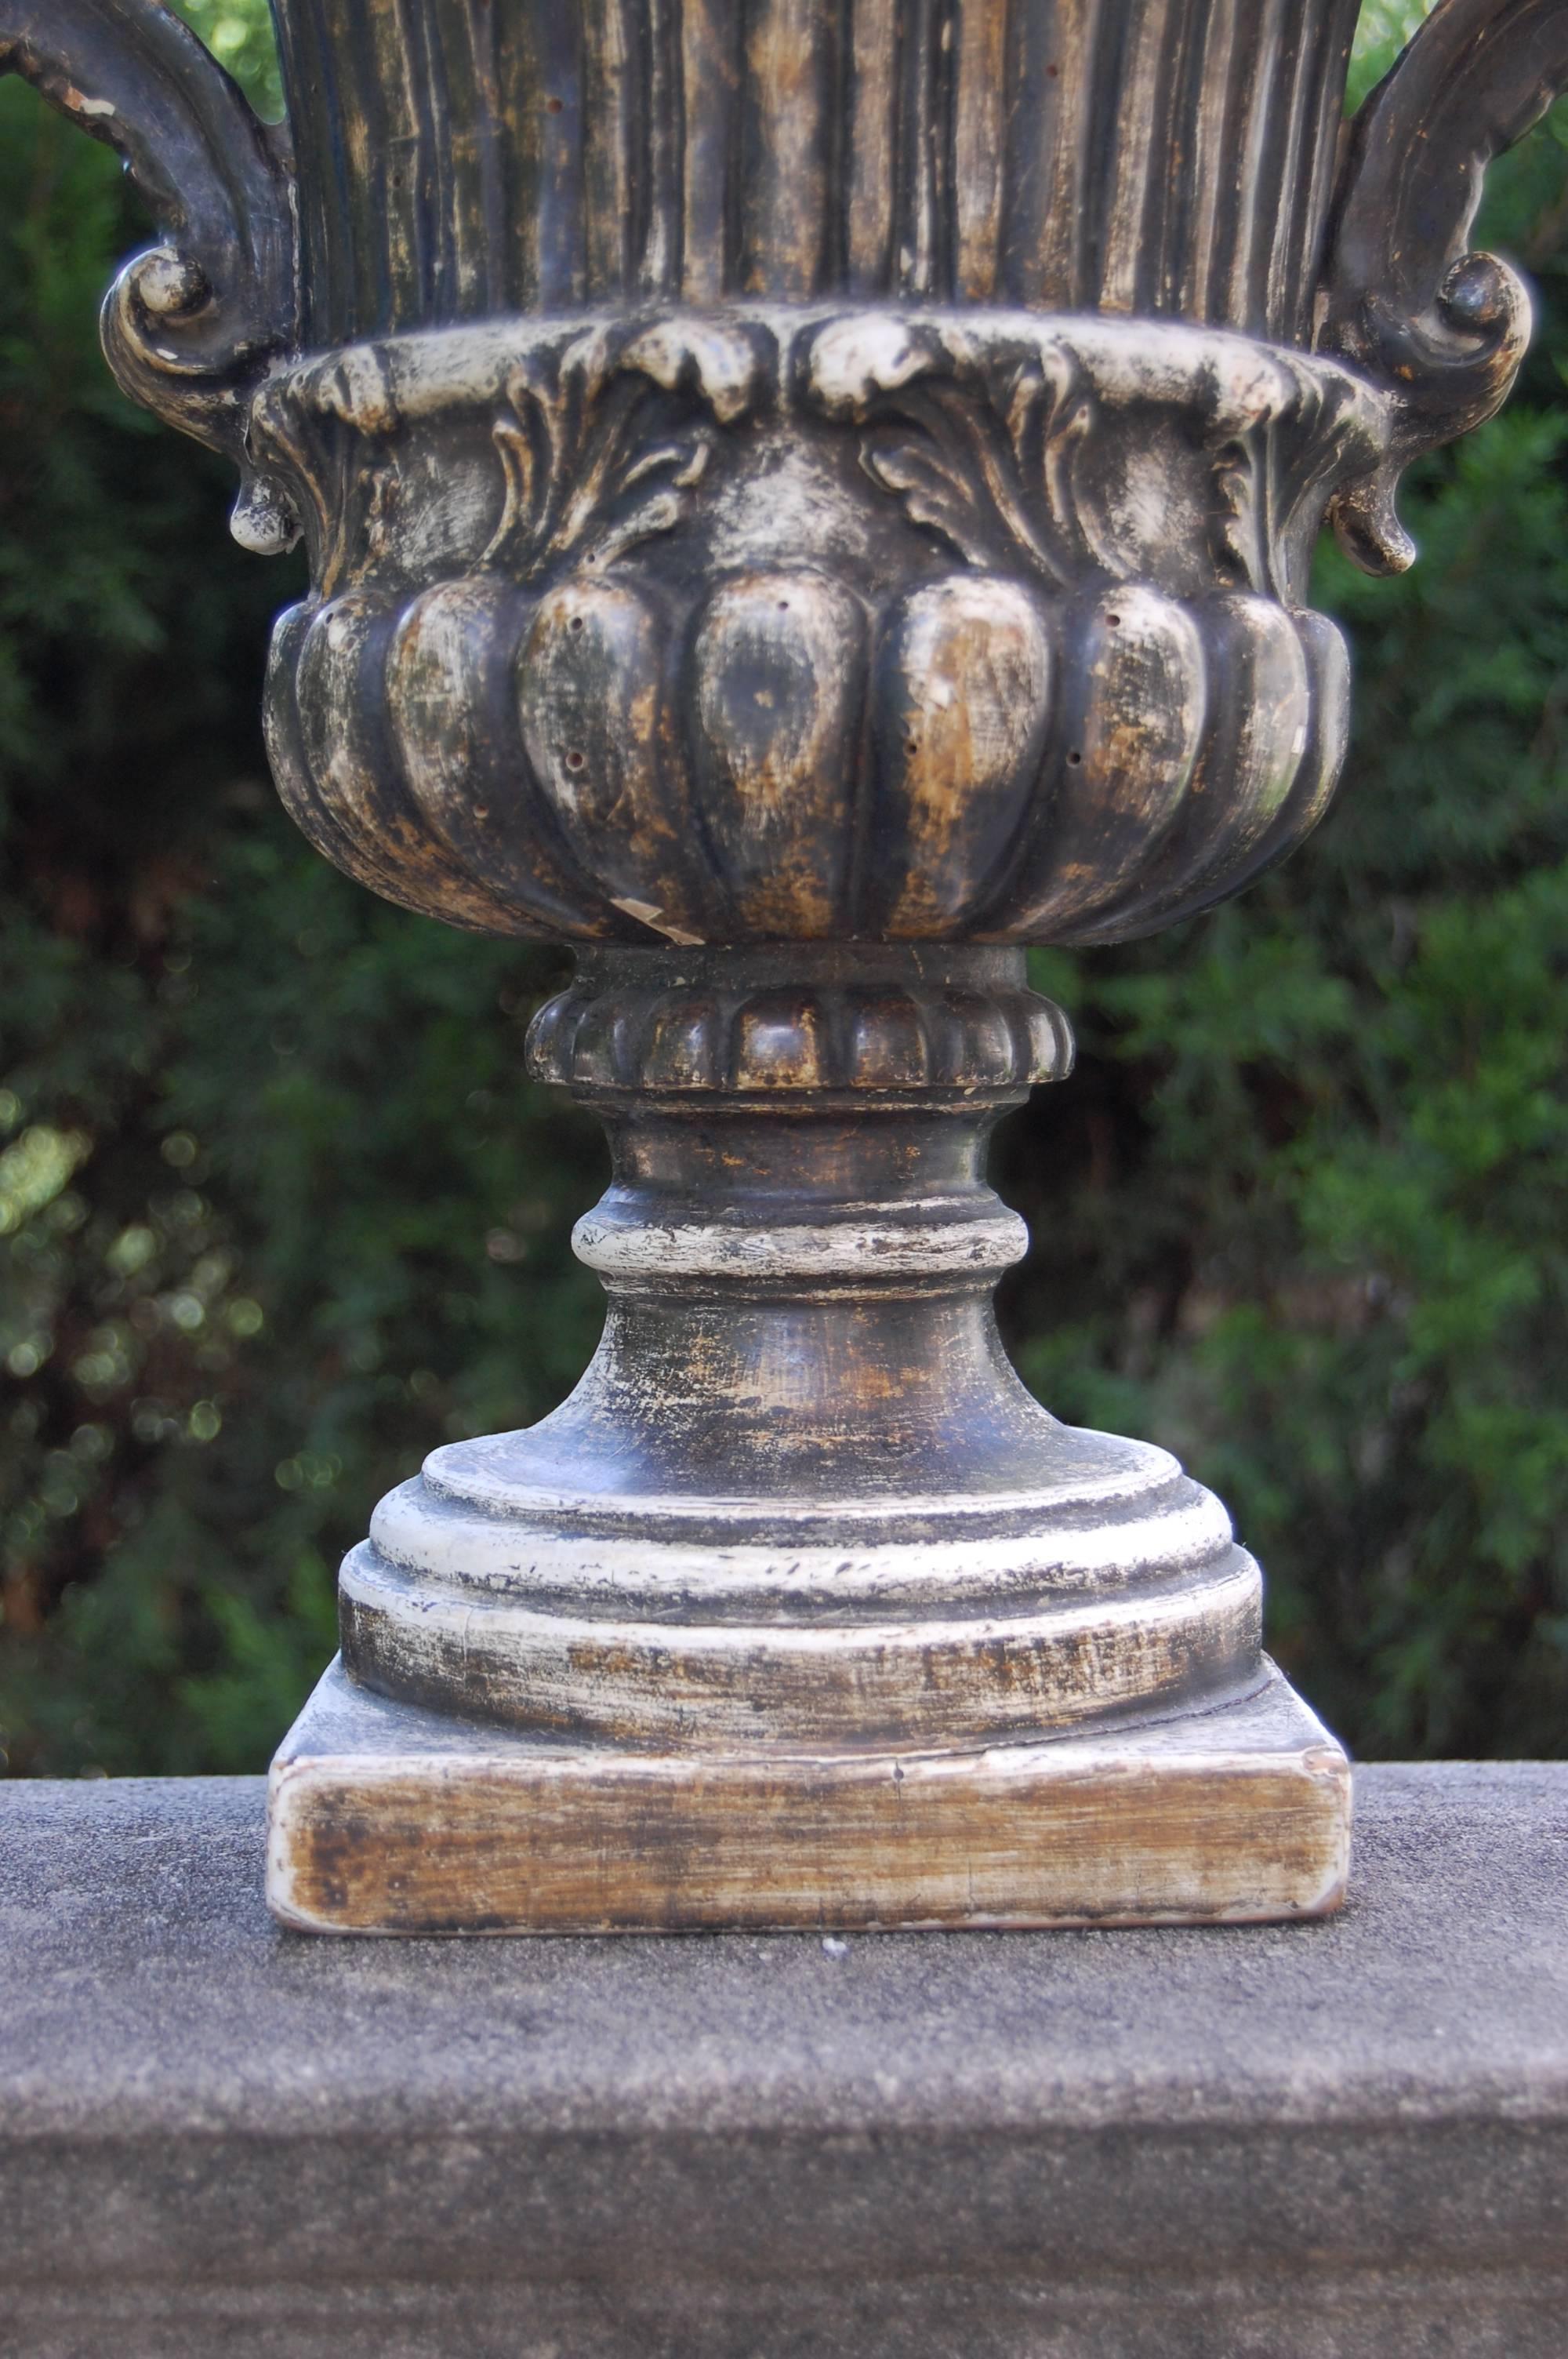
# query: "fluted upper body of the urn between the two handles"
1145, 157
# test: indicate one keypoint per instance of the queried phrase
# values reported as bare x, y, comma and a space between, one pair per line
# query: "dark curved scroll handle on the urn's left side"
190, 322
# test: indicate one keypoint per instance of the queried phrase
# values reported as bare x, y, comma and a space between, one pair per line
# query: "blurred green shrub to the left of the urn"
277, 1204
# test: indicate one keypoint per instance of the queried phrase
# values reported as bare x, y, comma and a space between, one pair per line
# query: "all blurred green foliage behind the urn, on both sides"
279, 1209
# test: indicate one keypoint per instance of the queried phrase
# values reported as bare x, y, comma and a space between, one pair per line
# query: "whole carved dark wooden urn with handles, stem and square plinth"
808, 499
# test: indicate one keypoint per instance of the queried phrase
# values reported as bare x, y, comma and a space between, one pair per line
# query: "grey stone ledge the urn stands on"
1260, 2143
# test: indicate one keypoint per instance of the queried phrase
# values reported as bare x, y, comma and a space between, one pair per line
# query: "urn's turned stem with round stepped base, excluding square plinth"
801, 1497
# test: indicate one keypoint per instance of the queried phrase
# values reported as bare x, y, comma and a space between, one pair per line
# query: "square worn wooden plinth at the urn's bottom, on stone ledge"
402, 1822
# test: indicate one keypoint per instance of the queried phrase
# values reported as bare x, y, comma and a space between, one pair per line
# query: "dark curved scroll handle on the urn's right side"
1402, 296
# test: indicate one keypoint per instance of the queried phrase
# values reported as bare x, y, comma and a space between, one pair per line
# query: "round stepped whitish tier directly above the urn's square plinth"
864, 1622
